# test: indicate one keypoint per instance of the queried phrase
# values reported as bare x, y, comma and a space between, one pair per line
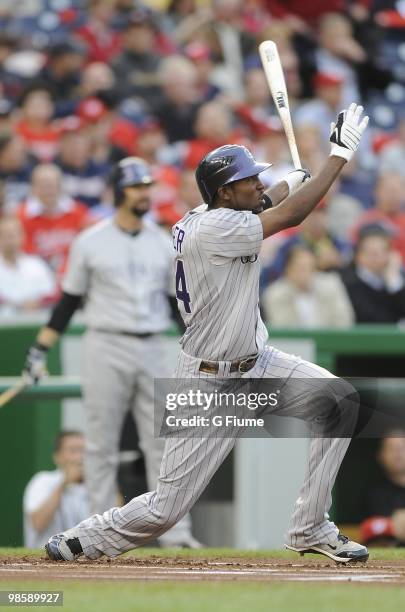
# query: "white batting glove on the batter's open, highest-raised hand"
346, 133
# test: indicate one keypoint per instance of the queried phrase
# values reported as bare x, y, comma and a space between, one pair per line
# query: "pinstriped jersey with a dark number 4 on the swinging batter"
217, 283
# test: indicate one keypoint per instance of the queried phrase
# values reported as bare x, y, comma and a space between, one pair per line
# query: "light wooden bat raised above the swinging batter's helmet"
275, 78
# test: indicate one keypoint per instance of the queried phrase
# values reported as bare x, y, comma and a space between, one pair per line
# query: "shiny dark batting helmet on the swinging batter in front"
223, 166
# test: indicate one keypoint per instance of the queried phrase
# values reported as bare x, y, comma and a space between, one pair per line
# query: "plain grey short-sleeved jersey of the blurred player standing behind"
125, 279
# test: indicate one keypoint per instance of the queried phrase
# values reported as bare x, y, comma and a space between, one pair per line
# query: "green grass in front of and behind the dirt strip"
210, 596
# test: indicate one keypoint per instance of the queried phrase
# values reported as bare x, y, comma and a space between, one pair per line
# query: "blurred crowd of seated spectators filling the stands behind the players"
84, 83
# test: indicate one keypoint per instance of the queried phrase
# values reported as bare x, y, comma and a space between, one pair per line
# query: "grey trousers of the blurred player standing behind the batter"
119, 376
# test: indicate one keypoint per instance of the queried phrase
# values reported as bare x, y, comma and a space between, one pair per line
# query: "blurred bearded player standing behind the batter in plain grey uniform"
122, 269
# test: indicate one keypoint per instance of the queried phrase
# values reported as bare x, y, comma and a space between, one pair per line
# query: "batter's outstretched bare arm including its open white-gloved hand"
345, 139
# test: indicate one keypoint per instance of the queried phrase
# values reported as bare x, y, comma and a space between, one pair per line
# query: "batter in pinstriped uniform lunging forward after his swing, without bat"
217, 284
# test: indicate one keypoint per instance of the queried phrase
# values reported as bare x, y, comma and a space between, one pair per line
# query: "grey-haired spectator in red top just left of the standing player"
50, 218
